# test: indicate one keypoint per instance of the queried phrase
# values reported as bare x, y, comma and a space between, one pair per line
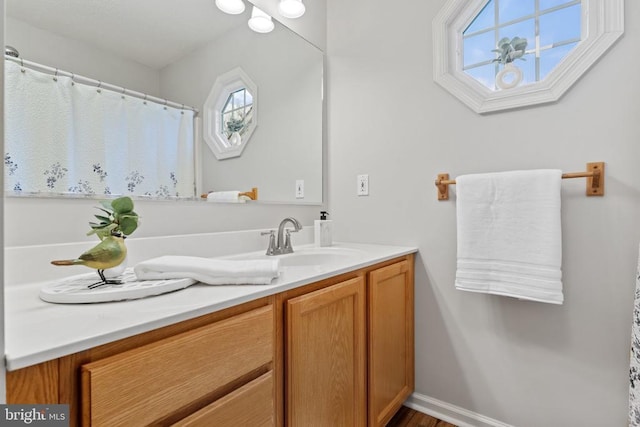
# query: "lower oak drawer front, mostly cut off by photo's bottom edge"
250, 405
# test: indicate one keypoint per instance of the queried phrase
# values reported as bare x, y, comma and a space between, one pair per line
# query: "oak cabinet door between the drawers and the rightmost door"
326, 357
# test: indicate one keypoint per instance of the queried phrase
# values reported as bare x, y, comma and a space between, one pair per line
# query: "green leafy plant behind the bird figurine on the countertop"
119, 219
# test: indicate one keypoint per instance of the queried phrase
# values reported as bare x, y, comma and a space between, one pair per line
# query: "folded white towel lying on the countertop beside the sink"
208, 270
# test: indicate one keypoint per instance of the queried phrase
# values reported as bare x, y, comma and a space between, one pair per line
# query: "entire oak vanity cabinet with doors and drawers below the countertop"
338, 351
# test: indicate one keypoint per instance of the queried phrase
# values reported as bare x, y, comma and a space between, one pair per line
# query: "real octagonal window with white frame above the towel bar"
500, 54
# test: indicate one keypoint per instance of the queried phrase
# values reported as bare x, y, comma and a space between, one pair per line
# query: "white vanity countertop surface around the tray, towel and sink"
37, 331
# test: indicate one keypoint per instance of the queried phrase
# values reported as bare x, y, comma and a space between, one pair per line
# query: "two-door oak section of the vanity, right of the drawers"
349, 347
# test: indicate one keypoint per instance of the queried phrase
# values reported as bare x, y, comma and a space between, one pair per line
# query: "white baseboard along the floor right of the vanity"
450, 413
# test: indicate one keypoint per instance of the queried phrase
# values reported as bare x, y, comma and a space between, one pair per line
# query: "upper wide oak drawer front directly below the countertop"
149, 383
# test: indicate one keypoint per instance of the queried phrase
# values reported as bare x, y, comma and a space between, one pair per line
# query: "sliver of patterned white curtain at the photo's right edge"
634, 360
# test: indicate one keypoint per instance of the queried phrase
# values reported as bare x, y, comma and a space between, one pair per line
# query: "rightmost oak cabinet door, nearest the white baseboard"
391, 348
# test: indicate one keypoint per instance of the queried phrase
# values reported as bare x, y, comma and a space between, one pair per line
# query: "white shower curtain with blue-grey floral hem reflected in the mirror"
65, 137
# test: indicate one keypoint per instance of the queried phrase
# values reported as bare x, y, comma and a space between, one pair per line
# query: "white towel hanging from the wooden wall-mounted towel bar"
509, 234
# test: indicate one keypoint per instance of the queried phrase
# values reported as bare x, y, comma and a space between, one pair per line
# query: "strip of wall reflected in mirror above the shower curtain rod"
44, 47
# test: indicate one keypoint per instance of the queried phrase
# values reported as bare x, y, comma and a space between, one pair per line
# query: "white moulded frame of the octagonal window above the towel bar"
602, 25
